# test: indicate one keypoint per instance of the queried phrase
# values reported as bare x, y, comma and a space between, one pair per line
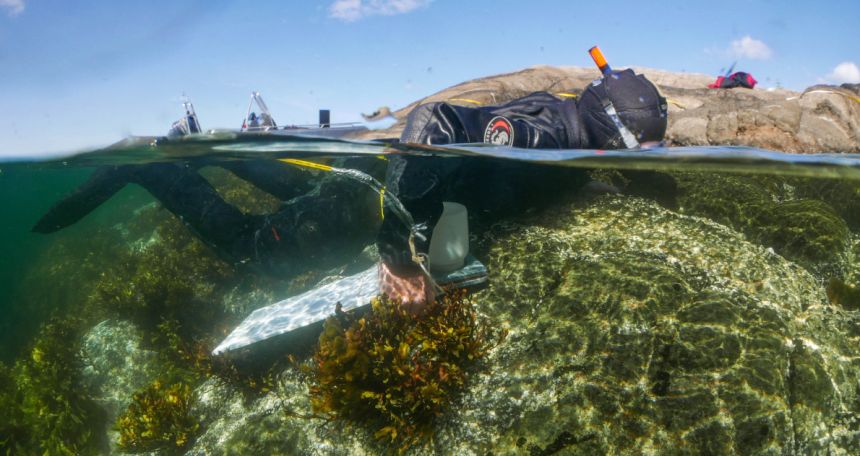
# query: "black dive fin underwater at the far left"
102, 184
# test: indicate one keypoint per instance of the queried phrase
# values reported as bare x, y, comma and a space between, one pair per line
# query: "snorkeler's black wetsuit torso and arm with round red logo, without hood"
489, 188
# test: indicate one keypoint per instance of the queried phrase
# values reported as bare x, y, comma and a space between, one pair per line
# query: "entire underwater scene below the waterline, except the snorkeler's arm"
683, 300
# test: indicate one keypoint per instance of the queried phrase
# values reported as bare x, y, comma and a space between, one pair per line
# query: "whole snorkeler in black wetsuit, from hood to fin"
334, 217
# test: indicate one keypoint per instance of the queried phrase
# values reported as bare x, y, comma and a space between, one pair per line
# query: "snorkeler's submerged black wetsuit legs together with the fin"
319, 219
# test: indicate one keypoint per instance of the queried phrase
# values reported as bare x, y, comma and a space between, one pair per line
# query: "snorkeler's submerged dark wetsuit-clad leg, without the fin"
334, 220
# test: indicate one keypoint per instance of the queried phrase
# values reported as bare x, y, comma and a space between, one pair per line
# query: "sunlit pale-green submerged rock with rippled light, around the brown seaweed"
632, 329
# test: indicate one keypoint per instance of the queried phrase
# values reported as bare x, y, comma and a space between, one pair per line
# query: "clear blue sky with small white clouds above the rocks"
87, 73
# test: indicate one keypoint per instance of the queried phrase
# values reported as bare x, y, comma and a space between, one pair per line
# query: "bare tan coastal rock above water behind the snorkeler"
820, 119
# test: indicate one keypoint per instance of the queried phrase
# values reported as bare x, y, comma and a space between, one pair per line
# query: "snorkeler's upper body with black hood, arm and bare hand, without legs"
621, 110
